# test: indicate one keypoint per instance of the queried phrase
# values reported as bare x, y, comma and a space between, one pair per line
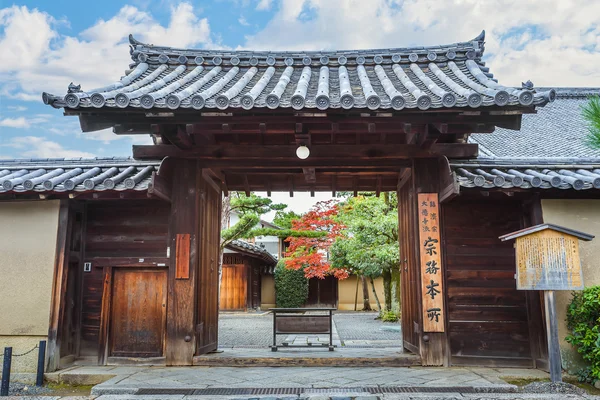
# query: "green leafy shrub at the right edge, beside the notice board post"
583, 320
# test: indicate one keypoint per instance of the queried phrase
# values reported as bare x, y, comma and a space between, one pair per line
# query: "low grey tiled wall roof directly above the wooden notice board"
563, 173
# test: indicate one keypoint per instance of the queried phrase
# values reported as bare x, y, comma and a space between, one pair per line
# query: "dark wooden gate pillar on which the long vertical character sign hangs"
432, 345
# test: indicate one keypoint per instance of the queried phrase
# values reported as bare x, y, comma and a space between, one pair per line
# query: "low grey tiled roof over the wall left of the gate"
75, 175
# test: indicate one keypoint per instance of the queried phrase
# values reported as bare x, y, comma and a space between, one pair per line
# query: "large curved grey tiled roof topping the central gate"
418, 77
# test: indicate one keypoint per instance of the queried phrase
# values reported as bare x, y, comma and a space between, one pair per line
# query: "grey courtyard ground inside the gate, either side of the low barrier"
352, 329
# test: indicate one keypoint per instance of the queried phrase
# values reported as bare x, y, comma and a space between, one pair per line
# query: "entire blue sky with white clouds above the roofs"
47, 44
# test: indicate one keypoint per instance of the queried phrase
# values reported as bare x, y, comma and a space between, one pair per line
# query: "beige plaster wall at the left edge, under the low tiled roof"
27, 247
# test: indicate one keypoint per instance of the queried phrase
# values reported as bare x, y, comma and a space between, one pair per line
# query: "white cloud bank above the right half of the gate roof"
551, 42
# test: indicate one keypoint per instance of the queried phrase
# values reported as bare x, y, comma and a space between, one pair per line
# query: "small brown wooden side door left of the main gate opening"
138, 312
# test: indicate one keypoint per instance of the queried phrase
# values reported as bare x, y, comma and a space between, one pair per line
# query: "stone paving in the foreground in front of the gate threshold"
314, 383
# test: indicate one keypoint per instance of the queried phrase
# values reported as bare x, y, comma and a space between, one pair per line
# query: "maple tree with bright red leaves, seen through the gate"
310, 253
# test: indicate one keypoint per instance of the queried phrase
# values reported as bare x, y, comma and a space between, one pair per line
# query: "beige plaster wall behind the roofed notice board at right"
584, 216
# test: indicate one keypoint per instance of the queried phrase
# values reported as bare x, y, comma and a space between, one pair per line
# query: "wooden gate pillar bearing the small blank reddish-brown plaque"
183, 266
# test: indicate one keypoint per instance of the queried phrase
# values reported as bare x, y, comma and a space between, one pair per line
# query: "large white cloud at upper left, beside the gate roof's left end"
44, 60
